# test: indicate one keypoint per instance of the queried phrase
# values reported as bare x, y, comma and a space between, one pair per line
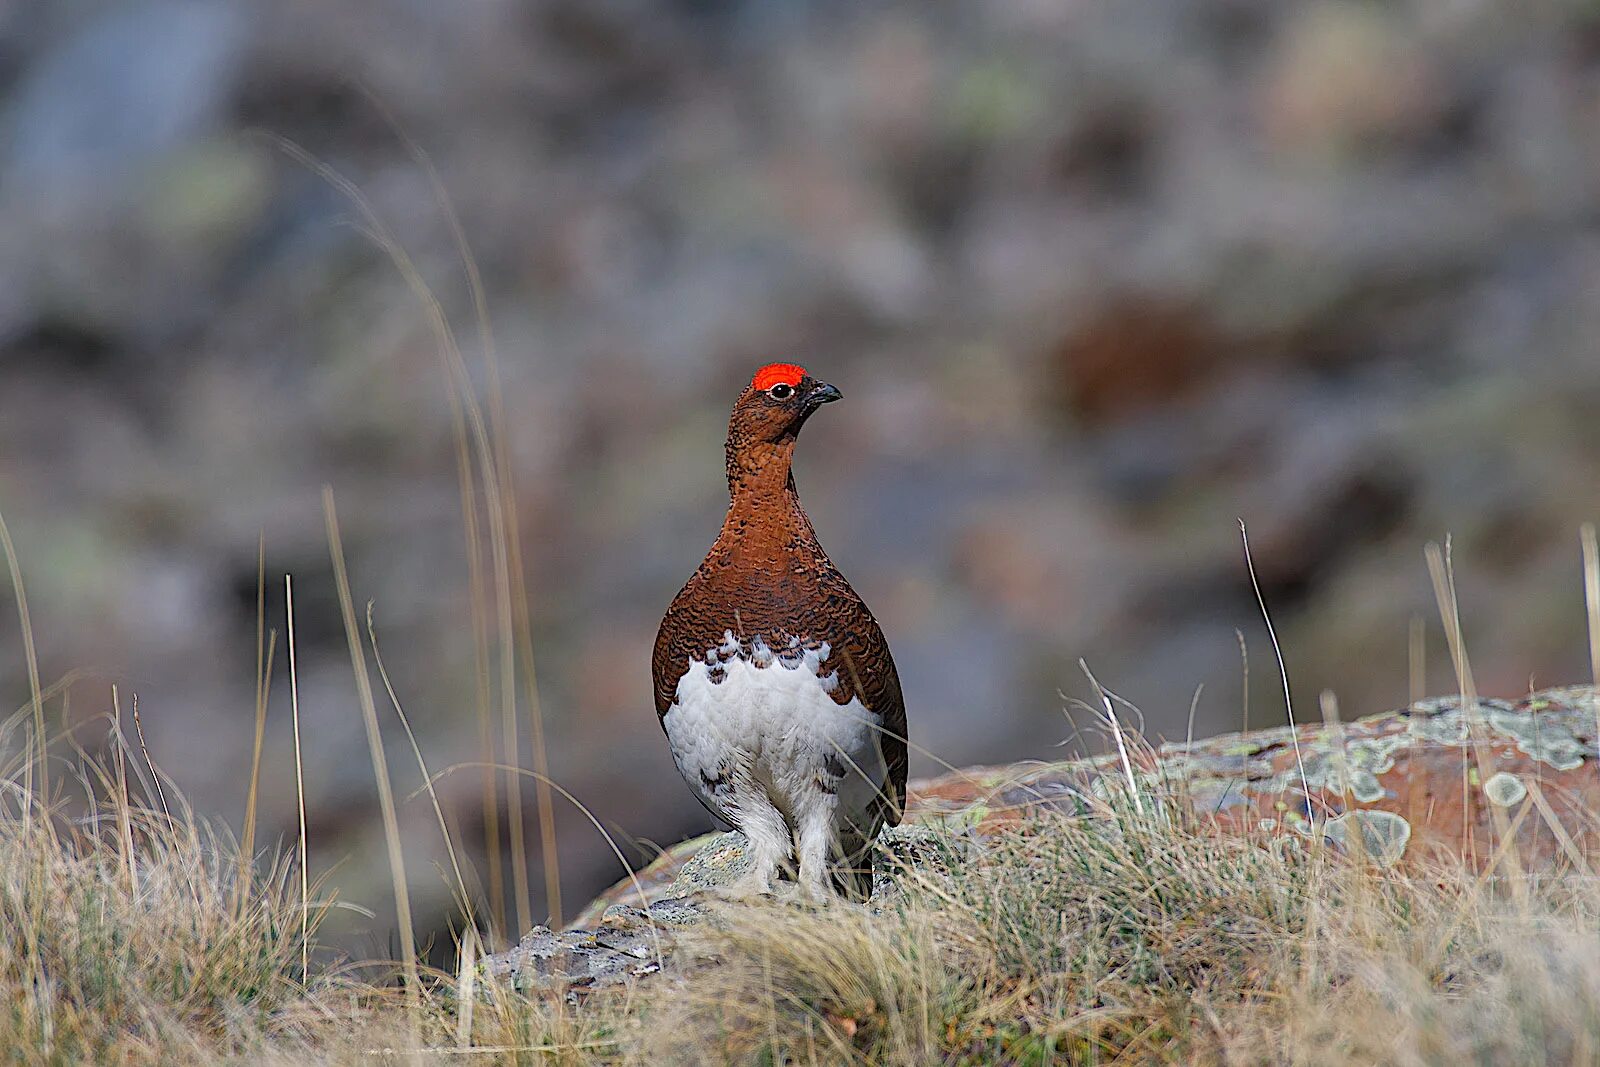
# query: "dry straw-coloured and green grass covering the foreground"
142, 933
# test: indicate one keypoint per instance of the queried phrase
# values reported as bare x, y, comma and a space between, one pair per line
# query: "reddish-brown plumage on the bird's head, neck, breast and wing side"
769, 580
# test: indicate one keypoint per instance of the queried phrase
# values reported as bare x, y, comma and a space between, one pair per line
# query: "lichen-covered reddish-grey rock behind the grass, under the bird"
1420, 781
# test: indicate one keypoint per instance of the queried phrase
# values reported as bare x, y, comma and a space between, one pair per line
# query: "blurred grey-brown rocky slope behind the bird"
1097, 279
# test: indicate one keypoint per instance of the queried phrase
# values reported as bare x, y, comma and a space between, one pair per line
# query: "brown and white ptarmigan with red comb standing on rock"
774, 681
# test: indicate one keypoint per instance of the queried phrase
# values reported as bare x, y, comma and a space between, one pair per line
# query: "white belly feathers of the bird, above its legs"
754, 725
